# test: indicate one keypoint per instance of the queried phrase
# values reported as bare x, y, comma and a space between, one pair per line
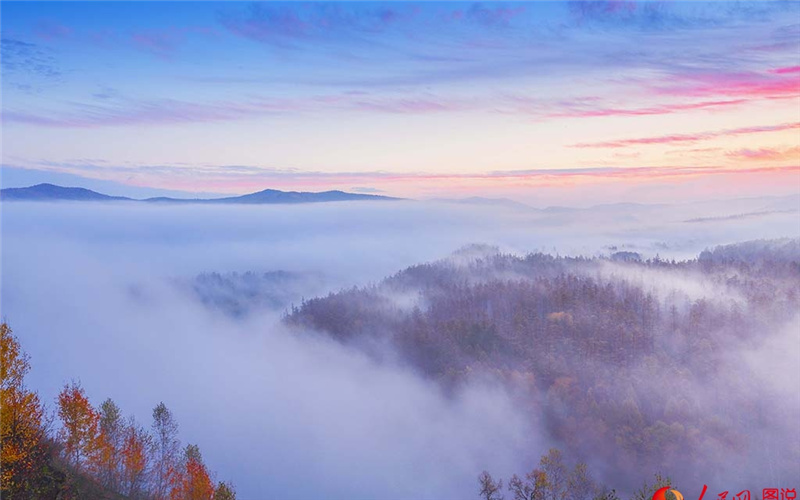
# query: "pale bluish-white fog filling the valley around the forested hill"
98, 292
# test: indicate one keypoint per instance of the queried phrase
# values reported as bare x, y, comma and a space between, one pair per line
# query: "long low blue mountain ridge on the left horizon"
46, 192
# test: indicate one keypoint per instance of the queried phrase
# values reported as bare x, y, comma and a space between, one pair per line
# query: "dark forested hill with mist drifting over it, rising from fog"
633, 365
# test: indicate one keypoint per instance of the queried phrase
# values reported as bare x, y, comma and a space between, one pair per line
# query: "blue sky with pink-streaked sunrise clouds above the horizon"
542, 102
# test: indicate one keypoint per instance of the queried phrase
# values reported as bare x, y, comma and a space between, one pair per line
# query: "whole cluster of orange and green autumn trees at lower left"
96, 453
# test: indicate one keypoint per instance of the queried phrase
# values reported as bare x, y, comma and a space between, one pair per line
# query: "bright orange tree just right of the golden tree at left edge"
79, 424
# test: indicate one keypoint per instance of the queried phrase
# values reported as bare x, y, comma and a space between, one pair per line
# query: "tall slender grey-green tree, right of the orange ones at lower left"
167, 448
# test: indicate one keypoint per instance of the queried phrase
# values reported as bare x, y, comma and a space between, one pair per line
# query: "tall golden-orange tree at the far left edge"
24, 453
